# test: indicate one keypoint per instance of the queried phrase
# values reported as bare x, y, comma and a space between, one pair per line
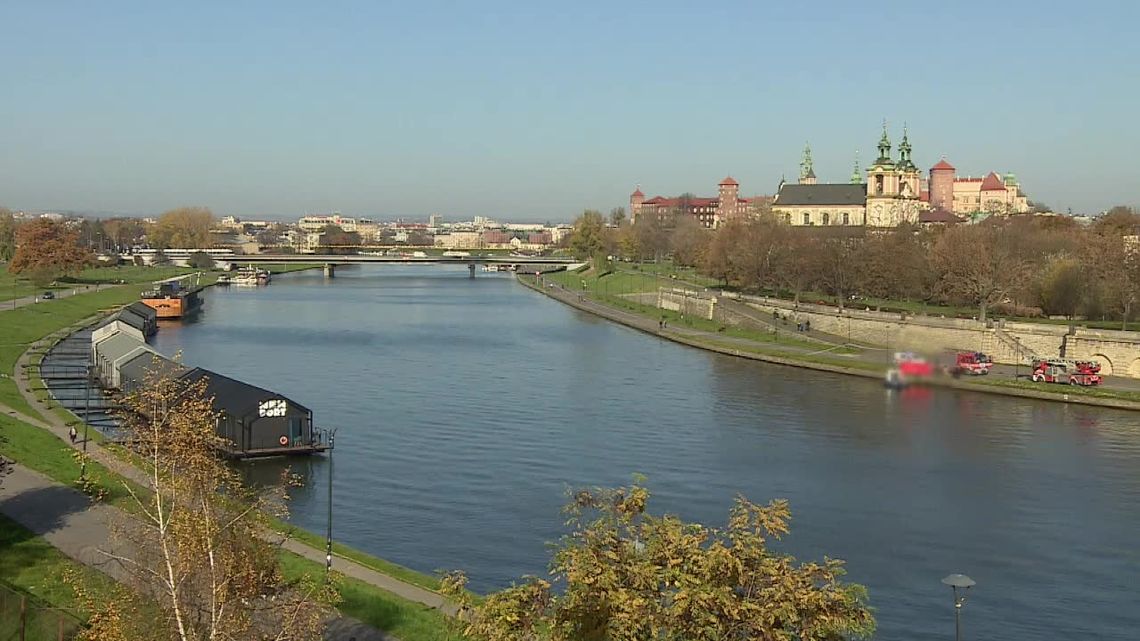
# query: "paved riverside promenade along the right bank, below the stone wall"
823, 353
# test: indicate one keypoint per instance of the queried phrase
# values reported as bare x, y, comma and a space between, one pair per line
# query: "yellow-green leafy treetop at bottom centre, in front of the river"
626, 574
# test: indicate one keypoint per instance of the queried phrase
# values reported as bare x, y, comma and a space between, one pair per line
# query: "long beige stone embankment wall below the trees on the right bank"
1119, 353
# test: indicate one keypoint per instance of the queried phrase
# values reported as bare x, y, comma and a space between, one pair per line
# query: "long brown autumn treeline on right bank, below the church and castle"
1020, 265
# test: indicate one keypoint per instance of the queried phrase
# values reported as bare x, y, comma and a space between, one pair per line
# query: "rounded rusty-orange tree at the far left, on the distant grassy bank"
46, 250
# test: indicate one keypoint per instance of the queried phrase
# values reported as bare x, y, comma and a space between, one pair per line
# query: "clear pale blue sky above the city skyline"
535, 111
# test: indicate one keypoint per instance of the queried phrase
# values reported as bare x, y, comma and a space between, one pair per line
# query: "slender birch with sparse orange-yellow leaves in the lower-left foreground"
198, 545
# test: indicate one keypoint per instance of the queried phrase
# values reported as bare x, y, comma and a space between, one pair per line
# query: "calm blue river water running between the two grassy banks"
466, 408
